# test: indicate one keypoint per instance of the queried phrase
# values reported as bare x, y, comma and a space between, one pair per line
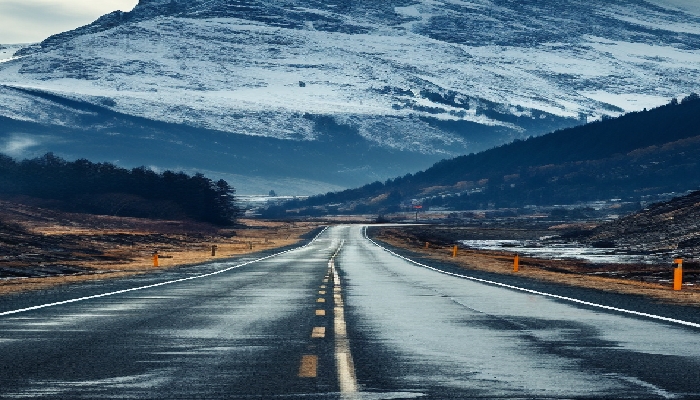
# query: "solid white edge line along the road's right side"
555, 296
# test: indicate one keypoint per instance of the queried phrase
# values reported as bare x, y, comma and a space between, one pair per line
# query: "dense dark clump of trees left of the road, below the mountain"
104, 188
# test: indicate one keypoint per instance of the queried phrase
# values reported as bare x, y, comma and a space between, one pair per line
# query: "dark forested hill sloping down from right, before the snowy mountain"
636, 155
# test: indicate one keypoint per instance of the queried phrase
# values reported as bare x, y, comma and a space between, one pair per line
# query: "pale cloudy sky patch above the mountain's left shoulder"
29, 21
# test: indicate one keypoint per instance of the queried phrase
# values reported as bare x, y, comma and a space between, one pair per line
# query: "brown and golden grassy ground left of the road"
40, 248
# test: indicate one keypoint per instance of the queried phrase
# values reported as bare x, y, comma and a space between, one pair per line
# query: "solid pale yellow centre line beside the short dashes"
343, 358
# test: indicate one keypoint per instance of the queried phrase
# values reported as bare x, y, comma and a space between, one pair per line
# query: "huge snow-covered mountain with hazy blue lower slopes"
355, 90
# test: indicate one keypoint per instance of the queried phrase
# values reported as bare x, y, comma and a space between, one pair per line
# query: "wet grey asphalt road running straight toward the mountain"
341, 318
